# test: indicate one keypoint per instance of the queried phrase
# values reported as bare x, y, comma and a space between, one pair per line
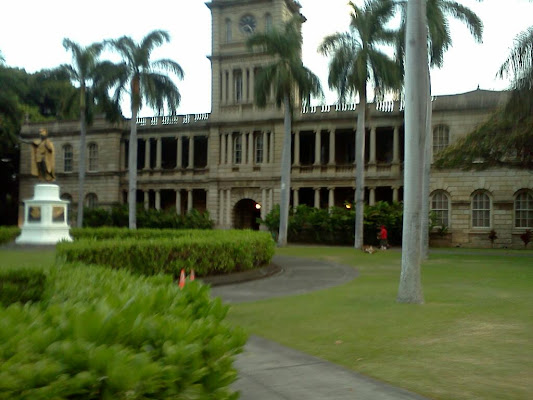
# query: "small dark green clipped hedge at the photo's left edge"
21, 285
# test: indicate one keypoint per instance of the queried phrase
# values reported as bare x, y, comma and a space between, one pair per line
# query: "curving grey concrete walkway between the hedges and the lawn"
269, 371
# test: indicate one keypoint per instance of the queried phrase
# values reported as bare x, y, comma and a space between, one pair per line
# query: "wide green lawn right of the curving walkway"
472, 339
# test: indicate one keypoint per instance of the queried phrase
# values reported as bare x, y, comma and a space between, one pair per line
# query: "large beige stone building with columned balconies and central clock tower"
228, 161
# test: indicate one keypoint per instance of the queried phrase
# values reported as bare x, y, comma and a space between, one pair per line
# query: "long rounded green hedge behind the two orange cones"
207, 252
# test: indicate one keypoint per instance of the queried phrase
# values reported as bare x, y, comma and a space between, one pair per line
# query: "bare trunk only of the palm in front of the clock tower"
285, 175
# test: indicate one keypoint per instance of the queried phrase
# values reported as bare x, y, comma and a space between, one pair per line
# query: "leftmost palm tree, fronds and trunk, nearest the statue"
84, 71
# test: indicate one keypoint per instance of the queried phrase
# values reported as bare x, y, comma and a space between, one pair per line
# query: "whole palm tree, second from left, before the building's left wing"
146, 82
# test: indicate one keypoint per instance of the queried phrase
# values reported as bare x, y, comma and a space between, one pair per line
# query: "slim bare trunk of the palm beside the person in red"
360, 170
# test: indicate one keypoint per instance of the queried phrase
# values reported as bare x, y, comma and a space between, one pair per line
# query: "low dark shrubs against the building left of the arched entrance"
155, 219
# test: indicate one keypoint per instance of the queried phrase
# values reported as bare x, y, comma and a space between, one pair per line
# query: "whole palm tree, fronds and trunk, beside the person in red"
357, 59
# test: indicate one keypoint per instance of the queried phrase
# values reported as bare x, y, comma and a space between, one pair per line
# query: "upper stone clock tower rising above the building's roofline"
233, 66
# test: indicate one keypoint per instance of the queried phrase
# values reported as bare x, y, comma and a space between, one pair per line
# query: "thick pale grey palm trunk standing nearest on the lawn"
410, 288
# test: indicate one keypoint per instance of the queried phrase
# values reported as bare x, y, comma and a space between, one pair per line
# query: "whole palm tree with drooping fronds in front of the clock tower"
286, 76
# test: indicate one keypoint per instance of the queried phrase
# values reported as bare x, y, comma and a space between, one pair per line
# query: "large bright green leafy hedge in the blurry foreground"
103, 334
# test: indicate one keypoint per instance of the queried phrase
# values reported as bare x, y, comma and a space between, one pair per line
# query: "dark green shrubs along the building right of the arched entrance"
336, 225
